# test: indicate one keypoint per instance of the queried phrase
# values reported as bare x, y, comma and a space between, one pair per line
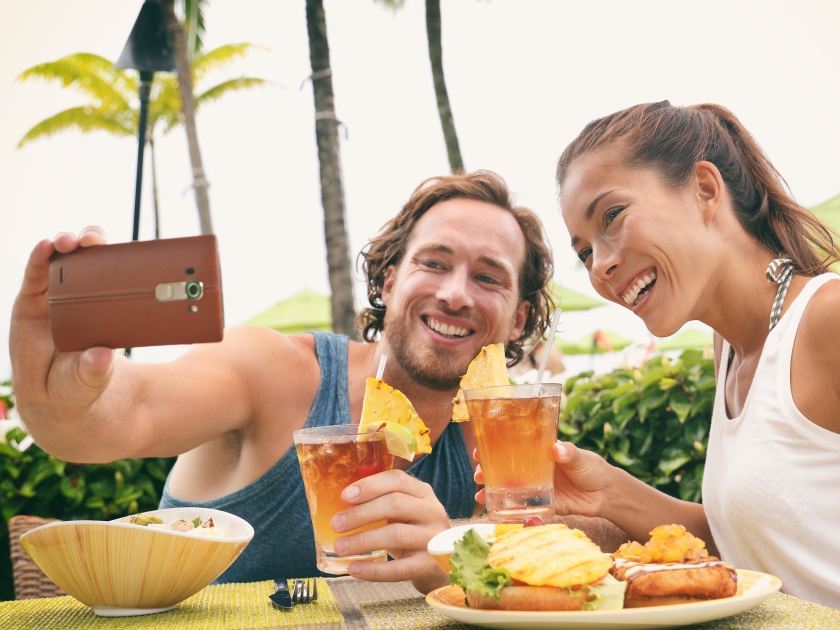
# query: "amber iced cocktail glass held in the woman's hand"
515, 428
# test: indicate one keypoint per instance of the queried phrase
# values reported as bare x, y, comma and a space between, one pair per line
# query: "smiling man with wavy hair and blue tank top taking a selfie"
457, 269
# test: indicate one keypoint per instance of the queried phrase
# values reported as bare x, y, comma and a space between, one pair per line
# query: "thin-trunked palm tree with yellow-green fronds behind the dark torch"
110, 91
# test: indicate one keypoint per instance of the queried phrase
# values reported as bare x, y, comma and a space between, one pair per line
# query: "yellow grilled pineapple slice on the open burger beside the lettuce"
551, 555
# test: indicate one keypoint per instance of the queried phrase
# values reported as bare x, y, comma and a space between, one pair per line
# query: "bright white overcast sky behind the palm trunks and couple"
523, 77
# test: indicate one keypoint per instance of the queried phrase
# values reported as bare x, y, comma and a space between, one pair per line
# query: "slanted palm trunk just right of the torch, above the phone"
202, 199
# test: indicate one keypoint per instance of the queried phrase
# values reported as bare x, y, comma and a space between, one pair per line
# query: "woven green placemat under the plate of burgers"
780, 612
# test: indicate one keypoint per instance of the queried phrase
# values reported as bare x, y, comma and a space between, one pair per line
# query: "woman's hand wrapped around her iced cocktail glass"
581, 479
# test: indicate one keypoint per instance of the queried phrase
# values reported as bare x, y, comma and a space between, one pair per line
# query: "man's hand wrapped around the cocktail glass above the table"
414, 516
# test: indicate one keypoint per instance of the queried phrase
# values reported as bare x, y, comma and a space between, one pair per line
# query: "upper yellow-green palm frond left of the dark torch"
90, 74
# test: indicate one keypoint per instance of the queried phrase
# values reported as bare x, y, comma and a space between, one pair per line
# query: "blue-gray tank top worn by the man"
275, 504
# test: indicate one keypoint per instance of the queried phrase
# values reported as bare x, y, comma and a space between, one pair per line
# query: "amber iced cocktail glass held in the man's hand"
331, 458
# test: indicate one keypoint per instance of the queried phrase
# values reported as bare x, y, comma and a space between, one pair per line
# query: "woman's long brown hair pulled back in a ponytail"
673, 139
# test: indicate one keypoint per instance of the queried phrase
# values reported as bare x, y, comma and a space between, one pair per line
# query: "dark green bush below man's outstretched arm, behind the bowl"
34, 482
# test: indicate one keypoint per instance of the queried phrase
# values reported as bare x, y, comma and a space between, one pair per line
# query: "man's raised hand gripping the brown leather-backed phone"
50, 385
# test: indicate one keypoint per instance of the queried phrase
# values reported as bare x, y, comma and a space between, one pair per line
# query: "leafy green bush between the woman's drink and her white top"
652, 421
